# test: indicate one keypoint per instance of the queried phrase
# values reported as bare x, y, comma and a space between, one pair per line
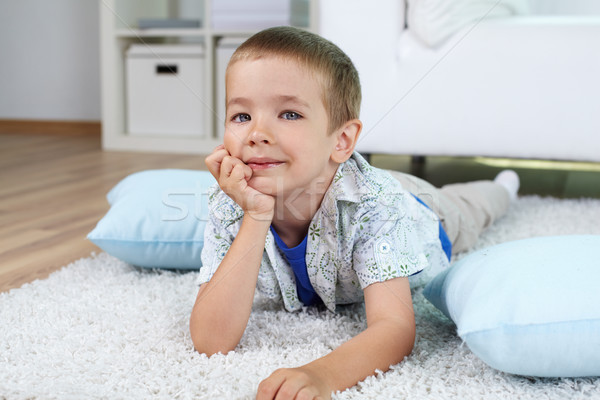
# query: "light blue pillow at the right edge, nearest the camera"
529, 307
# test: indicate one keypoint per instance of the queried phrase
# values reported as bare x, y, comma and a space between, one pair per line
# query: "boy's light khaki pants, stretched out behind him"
465, 209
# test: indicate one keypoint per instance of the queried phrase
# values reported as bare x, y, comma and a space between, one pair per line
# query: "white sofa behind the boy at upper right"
523, 86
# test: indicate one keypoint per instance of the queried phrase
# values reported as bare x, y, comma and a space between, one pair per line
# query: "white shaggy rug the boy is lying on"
101, 329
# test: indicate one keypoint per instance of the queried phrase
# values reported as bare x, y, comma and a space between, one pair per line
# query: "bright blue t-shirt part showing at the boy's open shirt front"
296, 256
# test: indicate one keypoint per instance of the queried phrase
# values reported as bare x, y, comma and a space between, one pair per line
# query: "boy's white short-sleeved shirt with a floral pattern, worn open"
367, 230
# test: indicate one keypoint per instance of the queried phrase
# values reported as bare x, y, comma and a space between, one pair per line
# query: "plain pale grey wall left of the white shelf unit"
49, 59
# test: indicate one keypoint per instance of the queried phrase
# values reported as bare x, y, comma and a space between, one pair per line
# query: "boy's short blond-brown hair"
340, 82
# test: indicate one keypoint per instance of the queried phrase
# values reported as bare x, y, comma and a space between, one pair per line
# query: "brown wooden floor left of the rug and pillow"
53, 184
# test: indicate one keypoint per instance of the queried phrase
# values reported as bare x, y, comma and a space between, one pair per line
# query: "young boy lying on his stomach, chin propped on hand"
301, 217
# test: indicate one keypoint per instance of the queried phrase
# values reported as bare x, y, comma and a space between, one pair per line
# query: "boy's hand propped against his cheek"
233, 175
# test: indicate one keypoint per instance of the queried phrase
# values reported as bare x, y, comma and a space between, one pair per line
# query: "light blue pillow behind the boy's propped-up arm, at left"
156, 219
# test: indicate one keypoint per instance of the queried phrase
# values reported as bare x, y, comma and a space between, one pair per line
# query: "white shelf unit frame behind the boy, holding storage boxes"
118, 30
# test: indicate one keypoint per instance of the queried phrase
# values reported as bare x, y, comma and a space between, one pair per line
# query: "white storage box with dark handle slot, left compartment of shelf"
165, 90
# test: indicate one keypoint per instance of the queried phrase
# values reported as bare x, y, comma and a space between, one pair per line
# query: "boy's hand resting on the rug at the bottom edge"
294, 383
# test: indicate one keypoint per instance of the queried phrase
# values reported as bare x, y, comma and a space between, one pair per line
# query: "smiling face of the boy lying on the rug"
276, 123
